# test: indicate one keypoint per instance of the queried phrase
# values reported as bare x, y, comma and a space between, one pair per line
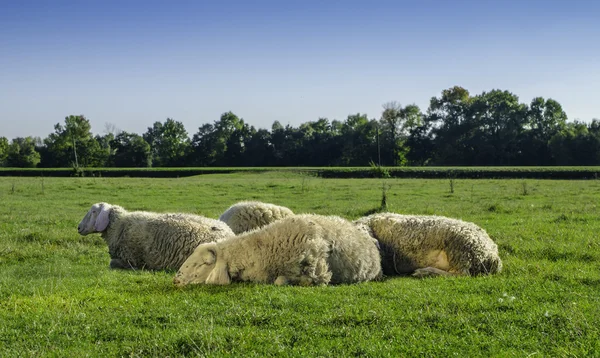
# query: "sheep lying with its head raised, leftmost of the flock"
154, 241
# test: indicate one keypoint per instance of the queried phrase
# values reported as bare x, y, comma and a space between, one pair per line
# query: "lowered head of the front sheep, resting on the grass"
203, 267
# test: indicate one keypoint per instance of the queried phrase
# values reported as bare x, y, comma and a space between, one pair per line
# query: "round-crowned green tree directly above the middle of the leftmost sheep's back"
169, 142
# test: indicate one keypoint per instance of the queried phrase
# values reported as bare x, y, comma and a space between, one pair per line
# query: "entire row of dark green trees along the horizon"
489, 129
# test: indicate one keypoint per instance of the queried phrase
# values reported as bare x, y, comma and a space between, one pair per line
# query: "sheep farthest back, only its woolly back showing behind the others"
248, 215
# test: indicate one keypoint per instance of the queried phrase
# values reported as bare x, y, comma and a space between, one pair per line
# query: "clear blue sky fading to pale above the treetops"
131, 63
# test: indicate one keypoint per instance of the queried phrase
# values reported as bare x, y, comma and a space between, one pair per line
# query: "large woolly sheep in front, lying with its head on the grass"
303, 250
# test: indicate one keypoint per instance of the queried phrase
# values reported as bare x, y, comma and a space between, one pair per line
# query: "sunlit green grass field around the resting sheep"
58, 297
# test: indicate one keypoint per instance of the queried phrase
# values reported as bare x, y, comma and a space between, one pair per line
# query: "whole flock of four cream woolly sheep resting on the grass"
266, 243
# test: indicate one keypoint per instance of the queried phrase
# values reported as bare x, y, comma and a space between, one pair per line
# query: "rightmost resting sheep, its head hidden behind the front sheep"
431, 245
